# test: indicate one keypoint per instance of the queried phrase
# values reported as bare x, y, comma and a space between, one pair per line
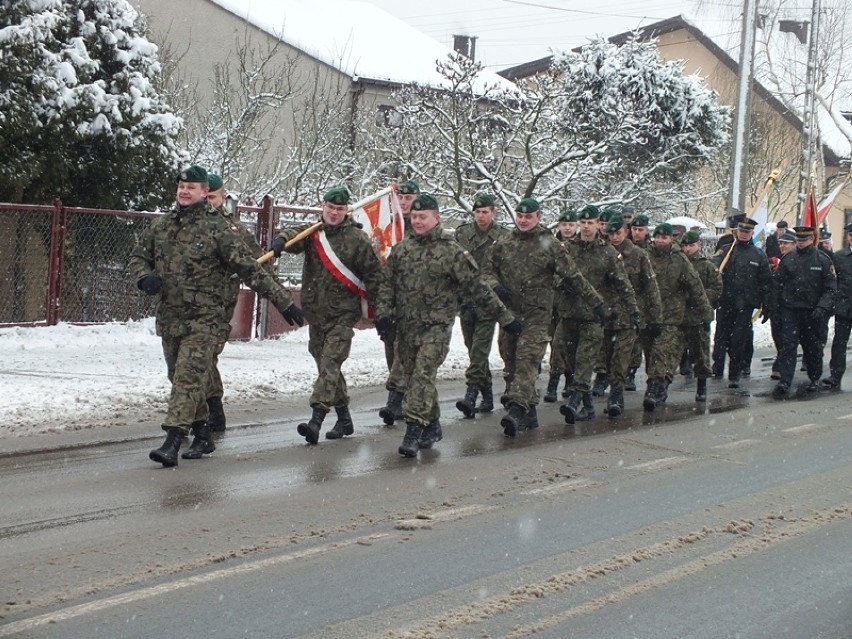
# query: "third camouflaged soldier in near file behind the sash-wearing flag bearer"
598, 261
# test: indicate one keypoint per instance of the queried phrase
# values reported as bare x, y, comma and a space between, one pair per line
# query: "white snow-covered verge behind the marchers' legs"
75, 377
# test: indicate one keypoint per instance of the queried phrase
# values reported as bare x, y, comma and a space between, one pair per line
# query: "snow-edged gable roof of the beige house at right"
835, 130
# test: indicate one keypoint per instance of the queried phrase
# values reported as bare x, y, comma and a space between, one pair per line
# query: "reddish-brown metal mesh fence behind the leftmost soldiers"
69, 264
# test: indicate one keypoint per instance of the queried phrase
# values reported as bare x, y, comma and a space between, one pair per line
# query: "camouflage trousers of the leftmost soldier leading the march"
189, 359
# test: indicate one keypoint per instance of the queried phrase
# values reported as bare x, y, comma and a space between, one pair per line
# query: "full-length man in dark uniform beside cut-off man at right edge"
806, 288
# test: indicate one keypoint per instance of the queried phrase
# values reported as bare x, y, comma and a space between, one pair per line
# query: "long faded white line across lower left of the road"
154, 591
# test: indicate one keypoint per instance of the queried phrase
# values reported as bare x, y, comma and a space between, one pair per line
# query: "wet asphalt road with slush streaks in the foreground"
726, 520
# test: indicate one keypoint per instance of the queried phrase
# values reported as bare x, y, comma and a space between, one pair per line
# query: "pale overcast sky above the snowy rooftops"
511, 32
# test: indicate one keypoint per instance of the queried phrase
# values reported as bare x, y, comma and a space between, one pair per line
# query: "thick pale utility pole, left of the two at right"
739, 158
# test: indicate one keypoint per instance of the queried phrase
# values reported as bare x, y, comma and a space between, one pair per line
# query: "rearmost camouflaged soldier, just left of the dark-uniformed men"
696, 330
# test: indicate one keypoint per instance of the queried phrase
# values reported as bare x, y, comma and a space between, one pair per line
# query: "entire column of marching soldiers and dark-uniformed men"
603, 291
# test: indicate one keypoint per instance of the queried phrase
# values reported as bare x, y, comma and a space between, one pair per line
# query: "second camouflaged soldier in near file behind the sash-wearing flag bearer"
524, 265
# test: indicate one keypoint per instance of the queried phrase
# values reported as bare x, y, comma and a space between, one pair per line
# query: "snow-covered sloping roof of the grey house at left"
357, 38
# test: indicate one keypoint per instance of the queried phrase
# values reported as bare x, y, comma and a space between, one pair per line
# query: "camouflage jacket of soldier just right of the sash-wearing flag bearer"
423, 278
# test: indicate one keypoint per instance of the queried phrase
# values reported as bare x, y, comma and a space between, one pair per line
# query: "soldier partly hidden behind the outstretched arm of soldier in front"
477, 326
